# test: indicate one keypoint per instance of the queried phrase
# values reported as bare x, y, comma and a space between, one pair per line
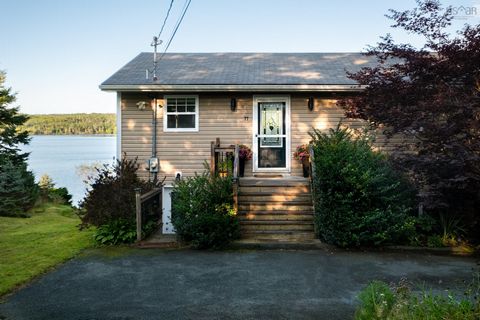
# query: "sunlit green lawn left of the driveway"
31, 246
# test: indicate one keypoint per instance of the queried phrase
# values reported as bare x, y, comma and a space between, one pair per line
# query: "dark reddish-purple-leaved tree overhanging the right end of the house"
432, 95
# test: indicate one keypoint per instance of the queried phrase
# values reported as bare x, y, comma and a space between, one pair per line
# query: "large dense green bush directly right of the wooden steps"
359, 198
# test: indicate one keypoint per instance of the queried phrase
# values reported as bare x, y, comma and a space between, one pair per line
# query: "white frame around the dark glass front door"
271, 98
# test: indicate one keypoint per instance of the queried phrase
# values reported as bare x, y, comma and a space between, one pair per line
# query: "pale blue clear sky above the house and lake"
57, 52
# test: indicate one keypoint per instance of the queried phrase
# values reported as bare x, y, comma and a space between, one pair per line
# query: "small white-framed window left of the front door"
181, 113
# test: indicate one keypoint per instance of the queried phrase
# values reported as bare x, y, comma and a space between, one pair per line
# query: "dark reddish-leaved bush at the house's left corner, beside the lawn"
110, 203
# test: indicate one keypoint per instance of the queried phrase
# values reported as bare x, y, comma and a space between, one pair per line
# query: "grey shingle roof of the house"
242, 69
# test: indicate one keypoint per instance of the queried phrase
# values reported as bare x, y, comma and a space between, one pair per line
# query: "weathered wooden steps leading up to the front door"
275, 209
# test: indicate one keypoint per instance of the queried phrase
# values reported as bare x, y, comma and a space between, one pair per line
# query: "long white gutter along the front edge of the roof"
234, 87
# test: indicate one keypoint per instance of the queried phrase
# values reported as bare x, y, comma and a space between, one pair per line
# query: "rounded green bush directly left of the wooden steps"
202, 211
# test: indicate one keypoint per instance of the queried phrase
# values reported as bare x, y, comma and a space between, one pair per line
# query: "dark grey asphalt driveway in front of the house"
184, 284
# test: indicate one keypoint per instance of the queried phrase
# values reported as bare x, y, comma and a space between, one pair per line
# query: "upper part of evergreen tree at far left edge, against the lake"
10, 119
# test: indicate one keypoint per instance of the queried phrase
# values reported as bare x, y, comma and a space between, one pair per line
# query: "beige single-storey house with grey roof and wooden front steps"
268, 101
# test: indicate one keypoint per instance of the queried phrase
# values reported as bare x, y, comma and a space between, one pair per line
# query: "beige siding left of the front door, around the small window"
185, 151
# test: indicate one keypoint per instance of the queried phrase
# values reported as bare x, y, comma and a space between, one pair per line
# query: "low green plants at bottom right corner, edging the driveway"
379, 301
